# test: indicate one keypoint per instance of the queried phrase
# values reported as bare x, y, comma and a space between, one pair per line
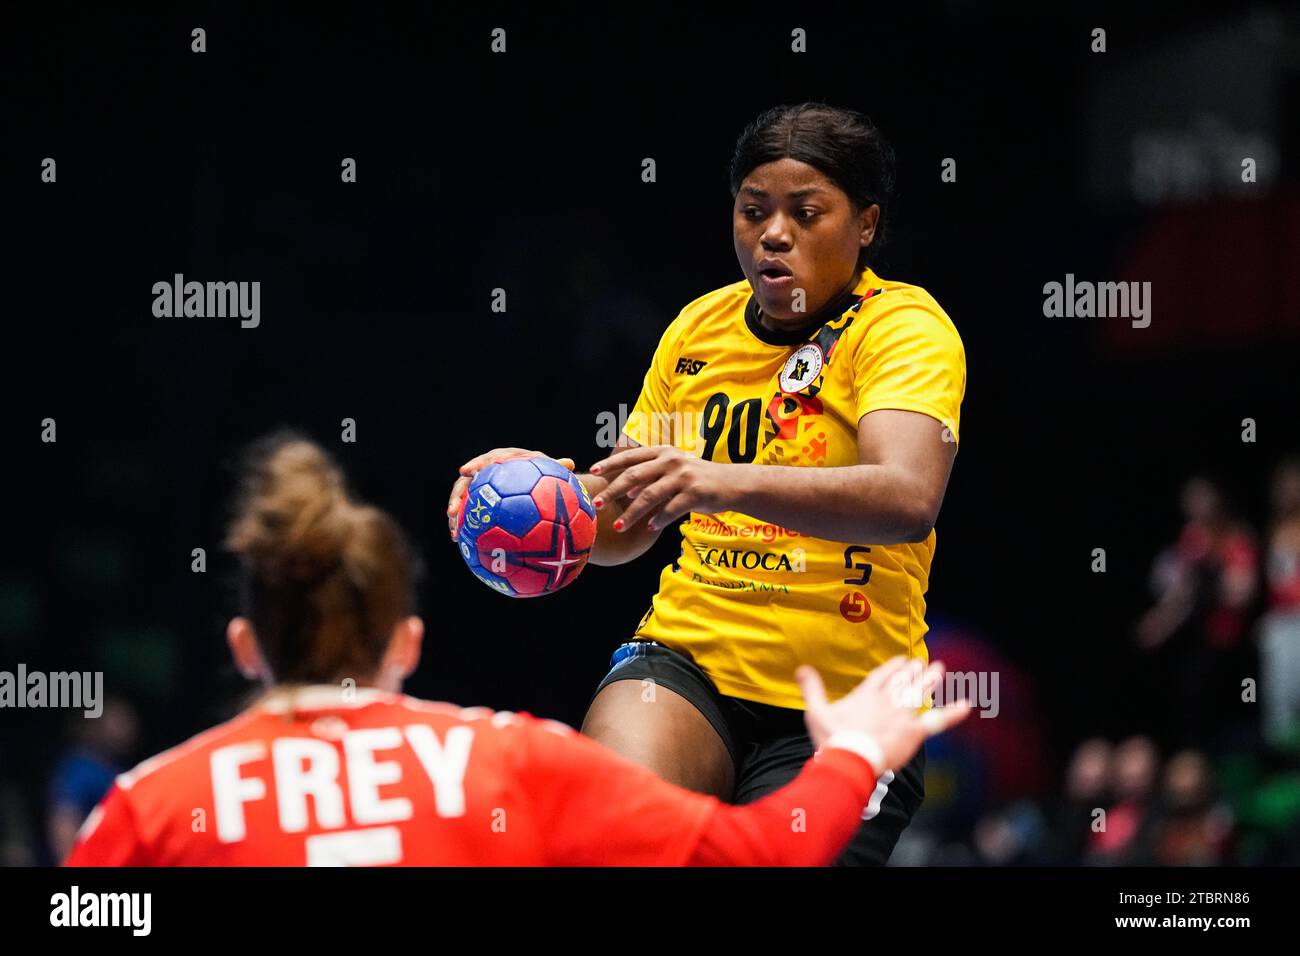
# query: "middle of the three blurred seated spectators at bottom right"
1125, 838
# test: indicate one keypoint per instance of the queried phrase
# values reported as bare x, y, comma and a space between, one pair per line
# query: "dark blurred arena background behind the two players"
1099, 455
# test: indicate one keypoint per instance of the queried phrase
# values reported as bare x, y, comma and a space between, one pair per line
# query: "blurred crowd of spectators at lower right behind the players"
1214, 777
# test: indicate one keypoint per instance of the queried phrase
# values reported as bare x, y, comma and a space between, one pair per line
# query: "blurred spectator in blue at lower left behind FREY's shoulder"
88, 771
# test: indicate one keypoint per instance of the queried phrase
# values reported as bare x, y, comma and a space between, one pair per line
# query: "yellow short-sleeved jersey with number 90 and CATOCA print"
748, 600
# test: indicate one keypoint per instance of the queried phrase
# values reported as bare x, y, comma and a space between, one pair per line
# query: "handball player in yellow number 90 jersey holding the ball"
801, 426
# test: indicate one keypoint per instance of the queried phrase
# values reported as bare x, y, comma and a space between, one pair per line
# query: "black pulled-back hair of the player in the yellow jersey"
843, 145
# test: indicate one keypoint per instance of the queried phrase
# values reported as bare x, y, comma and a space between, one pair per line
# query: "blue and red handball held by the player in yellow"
527, 526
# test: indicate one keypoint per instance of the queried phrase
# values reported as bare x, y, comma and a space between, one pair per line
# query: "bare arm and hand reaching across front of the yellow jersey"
892, 496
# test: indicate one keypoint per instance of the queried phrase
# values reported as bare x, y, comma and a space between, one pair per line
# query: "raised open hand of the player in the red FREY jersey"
883, 707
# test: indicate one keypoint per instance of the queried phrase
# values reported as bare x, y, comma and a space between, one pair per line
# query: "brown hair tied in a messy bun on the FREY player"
324, 579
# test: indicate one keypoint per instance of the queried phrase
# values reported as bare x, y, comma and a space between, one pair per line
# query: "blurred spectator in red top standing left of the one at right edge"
1204, 587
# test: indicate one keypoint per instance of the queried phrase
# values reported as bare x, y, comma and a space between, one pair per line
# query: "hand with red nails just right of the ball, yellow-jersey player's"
661, 483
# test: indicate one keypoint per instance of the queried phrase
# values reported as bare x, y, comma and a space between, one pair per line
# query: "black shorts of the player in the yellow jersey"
770, 746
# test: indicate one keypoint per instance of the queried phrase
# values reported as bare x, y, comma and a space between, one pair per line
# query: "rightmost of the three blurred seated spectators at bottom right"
1194, 828
